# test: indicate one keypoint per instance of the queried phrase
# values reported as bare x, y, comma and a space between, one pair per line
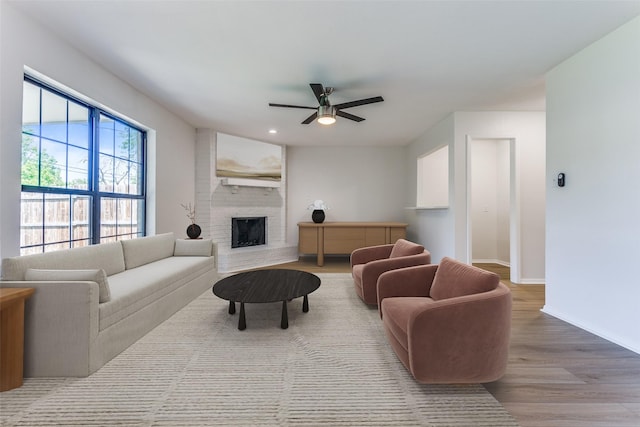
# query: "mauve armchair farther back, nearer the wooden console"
368, 263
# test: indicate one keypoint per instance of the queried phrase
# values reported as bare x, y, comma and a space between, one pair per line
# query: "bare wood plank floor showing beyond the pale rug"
558, 375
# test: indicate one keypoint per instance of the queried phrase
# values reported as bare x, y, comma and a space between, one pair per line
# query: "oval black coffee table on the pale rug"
261, 286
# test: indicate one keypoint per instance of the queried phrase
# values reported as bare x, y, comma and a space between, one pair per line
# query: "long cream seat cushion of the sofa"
135, 289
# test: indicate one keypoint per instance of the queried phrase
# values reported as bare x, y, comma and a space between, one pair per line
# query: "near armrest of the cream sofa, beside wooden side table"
61, 322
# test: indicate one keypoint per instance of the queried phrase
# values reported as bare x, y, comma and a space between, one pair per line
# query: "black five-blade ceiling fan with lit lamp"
325, 112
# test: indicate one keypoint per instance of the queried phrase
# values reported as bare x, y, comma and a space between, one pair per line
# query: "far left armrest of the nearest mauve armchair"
413, 281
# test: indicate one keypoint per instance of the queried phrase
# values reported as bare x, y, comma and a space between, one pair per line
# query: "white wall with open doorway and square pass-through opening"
444, 231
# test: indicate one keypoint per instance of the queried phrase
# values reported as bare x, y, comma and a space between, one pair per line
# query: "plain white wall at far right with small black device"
593, 223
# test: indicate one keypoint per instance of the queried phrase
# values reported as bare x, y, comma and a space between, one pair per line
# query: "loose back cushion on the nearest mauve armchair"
454, 279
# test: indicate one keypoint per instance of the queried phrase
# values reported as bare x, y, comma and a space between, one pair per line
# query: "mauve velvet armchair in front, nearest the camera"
447, 323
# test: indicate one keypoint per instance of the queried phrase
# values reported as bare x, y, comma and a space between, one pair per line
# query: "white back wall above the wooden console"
358, 184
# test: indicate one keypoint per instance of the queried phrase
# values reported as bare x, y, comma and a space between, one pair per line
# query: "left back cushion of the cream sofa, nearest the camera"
106, 256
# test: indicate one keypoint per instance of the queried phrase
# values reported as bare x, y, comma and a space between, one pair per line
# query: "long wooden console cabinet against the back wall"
342, 238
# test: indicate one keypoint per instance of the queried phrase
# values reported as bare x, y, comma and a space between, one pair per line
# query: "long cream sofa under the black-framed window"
91, 303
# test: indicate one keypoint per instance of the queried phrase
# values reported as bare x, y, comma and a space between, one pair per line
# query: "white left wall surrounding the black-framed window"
25, 43
